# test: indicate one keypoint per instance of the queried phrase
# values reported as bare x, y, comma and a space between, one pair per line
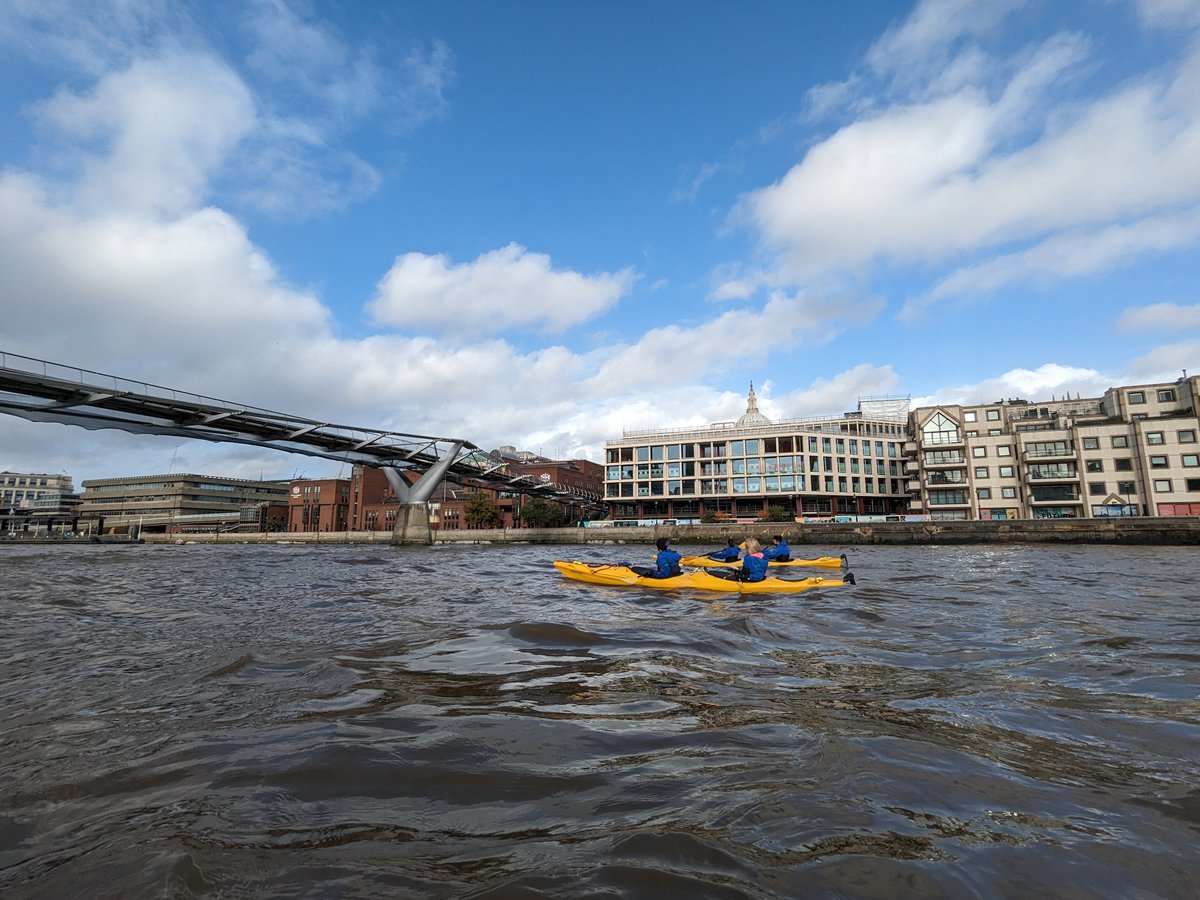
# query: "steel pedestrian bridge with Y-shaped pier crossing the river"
44, 392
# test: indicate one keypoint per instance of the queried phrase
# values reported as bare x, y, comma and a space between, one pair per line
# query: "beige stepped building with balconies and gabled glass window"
1132, 453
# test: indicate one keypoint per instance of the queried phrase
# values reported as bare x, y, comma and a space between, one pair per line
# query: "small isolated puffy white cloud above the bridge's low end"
501, 290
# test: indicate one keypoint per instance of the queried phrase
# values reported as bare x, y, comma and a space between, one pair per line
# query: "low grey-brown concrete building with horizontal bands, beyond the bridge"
175, 503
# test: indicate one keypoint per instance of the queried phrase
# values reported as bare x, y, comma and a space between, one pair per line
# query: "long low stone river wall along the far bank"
1150, 531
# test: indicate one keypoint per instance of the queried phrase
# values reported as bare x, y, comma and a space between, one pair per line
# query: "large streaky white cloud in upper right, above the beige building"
979, 170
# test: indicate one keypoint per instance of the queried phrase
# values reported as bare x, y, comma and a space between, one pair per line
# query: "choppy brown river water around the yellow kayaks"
459, 722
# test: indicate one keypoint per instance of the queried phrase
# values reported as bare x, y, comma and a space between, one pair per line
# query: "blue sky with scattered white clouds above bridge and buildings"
543, 224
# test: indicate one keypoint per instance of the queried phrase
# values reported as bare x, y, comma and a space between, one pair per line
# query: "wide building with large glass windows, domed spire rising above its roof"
831, 466
